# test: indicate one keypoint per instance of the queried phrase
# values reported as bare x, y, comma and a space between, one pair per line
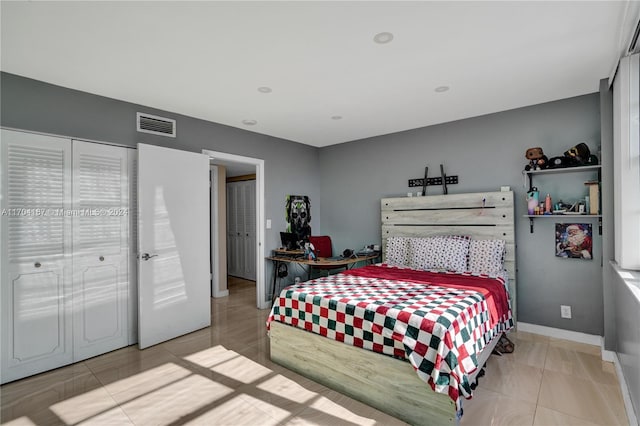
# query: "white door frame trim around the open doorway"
253, 165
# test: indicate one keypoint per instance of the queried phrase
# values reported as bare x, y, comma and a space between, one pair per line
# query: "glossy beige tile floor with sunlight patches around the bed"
222, 375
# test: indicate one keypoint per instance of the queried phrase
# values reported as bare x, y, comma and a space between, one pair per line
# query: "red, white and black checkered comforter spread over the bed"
438, 321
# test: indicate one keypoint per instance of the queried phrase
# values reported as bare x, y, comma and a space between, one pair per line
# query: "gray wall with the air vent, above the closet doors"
290, 168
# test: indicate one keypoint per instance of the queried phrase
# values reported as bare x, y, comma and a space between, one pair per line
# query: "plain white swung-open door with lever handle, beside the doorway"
173, 239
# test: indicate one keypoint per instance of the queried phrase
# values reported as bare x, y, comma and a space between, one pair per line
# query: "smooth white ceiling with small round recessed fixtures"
208, 59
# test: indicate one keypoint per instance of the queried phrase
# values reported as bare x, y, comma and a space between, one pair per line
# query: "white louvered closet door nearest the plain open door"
100, 248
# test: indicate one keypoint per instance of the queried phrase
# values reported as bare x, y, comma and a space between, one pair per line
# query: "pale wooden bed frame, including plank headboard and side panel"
388, 384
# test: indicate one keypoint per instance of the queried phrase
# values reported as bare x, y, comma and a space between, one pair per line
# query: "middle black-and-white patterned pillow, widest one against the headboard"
448, 252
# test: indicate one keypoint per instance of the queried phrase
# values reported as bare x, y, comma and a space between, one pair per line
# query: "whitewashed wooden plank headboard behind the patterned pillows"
481, 215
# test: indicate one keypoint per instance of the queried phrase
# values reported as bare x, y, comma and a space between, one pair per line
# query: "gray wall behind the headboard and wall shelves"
485, 152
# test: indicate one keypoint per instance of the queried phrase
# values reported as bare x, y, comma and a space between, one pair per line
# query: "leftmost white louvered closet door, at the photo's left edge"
36, 265
